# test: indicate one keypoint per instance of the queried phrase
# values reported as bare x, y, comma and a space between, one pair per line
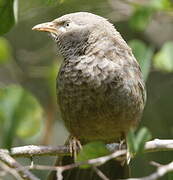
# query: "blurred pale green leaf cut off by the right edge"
163, 60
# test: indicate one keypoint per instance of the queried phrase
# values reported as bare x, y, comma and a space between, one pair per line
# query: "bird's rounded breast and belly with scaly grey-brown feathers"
98, 95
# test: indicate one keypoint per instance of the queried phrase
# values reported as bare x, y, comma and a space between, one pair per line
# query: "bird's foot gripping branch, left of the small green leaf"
75, 146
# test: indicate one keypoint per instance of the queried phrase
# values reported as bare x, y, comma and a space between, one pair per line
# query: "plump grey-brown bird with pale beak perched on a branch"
100, 88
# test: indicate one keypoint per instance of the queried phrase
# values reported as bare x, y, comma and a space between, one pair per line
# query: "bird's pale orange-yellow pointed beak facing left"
46, 27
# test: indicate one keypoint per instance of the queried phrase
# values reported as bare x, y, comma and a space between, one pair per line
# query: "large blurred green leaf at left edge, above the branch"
21, 113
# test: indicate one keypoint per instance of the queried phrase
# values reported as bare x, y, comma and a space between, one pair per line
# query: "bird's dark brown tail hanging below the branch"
112, 170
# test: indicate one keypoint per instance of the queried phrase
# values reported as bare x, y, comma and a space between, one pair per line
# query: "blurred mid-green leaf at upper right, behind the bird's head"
141, 18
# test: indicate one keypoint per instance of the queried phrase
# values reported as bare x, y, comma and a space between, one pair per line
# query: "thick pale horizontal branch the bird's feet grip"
32, 150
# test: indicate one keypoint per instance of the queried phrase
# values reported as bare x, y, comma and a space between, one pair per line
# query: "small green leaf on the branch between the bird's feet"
90, 151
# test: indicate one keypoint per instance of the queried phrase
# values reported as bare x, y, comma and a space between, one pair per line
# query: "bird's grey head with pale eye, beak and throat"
73, 31
